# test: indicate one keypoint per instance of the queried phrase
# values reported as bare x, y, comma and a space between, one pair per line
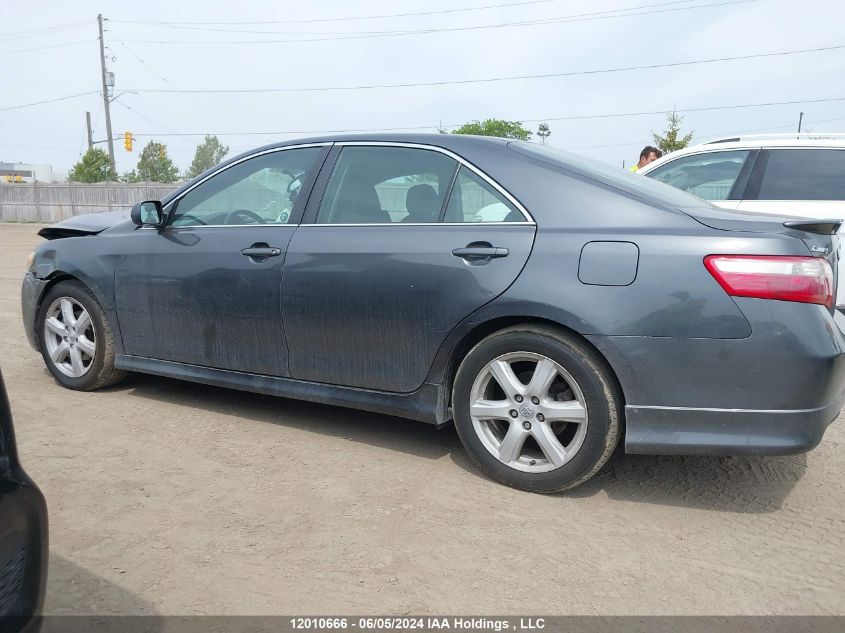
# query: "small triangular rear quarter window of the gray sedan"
474, 199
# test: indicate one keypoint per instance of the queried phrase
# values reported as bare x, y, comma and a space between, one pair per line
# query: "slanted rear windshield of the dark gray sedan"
616, 177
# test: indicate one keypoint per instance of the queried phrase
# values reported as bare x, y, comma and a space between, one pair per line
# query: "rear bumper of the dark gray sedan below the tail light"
772, 393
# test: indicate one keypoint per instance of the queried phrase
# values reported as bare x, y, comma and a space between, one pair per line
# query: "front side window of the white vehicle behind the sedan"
710, 176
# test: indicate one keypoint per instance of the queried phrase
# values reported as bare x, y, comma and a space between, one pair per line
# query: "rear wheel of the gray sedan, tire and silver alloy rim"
569, 395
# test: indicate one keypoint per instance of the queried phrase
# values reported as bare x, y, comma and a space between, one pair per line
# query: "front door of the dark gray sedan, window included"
205, 289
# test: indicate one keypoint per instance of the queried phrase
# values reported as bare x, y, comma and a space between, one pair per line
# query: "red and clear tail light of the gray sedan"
801, 279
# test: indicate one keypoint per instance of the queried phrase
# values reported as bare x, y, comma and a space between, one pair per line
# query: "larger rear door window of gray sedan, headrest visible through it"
383, 185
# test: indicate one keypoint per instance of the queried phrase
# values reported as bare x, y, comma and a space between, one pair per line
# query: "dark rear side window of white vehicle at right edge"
804, 174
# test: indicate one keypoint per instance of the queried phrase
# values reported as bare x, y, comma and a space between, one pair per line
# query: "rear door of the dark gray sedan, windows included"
404, 243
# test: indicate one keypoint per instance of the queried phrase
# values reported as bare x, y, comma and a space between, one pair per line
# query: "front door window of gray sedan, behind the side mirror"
261, 190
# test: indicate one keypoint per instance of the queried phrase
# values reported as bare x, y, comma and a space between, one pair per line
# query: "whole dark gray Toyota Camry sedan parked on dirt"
550, 306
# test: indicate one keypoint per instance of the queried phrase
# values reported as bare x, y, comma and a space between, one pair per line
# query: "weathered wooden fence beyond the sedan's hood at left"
41, 202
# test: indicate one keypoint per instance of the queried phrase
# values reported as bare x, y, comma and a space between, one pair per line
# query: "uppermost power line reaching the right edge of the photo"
490, 79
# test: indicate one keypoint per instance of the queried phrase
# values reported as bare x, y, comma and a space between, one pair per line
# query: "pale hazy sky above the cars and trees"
49, 50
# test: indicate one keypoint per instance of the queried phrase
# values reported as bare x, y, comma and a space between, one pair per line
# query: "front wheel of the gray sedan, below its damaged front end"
61, 348
